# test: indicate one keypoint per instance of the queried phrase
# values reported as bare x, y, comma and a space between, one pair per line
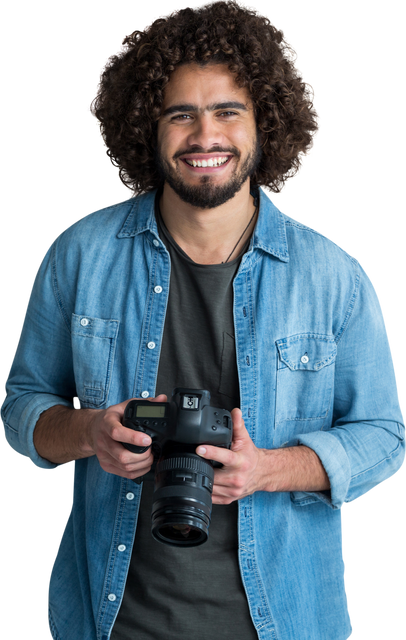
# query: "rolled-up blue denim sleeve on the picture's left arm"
40, 373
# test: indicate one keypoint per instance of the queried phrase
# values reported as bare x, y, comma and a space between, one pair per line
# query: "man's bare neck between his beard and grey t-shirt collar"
209, 236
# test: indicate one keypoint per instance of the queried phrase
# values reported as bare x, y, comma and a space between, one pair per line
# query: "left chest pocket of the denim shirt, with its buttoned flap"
93, 350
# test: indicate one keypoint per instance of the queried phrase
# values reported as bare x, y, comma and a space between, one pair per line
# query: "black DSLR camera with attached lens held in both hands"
182, 505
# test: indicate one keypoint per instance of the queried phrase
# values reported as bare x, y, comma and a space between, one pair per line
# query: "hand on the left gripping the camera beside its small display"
107, 432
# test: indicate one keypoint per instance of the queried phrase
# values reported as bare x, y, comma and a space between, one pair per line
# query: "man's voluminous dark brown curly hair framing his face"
129, 91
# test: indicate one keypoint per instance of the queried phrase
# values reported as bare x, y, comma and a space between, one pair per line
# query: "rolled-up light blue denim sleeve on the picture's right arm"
365, 447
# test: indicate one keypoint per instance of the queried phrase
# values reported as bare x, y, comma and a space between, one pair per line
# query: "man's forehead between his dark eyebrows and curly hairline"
200, 82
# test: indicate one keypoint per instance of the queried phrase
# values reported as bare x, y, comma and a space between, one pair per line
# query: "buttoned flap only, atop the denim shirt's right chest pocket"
307, 351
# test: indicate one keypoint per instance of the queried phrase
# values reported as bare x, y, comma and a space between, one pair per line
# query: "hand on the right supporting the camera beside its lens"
241, 474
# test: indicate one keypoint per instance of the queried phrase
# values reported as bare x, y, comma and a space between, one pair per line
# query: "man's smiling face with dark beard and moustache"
206, 116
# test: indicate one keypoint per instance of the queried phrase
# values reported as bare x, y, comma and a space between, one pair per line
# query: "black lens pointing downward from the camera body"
181, 508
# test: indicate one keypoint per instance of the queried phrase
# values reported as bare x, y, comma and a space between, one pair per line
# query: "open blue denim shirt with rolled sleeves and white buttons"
315, 365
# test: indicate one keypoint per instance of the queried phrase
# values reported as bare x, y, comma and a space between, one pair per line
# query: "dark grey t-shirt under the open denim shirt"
191, 592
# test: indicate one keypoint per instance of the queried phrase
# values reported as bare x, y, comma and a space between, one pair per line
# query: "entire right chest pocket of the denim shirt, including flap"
305, 378
